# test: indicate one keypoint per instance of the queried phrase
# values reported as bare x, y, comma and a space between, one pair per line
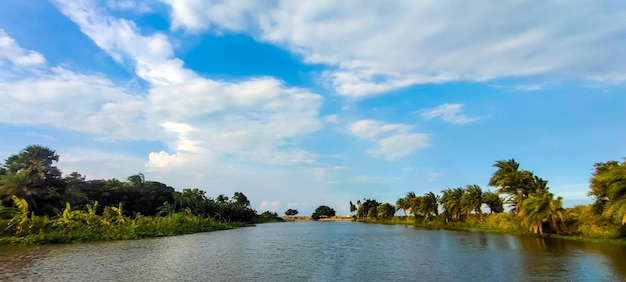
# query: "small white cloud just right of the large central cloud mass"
393, 141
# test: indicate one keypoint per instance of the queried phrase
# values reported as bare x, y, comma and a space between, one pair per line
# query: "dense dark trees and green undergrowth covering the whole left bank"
38, 205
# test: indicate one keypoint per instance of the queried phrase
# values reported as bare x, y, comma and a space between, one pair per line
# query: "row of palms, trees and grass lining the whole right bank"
533, 209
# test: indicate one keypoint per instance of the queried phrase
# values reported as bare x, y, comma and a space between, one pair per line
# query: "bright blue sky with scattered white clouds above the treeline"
305, 103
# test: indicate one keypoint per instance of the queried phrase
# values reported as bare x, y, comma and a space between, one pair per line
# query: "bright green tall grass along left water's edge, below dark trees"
77, 225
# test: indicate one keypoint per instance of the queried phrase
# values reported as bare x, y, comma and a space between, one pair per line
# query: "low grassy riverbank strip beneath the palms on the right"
483, 225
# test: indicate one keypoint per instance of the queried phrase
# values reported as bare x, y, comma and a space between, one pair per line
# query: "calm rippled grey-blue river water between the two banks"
320, 251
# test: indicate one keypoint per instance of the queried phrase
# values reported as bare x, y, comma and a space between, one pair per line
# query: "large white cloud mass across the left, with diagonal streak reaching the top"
202, 122
